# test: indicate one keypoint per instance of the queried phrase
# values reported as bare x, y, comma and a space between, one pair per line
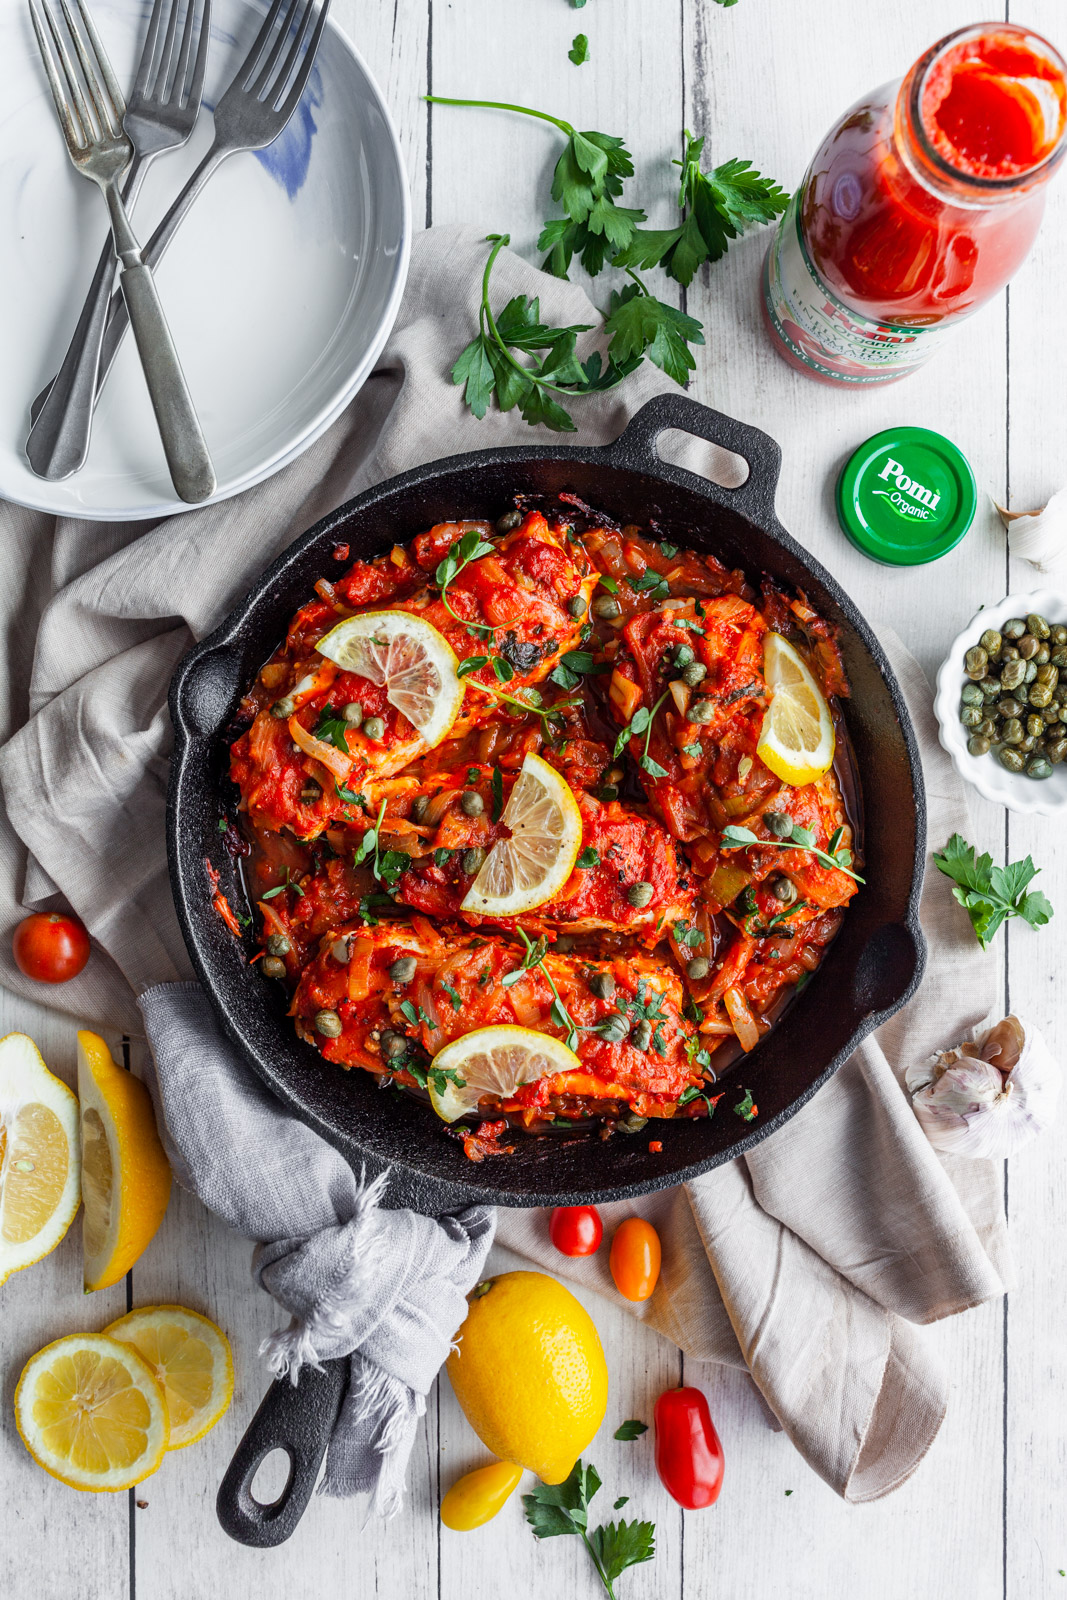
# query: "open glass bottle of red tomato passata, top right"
921, 204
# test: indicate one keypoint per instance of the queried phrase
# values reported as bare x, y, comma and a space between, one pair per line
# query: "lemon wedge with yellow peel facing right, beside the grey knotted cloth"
126, 1177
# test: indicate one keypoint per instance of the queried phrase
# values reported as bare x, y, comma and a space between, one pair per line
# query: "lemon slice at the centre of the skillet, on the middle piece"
535, 863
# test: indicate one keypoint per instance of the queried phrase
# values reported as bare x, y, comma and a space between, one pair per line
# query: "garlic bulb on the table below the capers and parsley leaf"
989, 1098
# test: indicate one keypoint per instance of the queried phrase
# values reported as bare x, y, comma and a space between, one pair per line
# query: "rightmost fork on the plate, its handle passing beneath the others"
252, 114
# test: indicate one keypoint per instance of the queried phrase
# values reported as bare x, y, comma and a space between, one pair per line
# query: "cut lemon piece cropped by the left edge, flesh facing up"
41, 1170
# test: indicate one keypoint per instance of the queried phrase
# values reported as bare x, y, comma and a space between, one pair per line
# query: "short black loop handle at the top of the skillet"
636, 449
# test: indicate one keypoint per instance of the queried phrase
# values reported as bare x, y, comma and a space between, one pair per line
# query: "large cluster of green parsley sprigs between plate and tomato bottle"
588, 186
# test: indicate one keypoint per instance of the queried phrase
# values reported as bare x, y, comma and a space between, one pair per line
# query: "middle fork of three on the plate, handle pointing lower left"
161, 116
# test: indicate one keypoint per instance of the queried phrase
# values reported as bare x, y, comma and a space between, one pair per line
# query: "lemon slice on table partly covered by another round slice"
191, 1359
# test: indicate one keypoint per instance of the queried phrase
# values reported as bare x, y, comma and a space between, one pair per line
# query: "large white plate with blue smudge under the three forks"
281, 287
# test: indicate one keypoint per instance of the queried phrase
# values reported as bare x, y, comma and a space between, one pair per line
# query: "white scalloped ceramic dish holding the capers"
1041, 798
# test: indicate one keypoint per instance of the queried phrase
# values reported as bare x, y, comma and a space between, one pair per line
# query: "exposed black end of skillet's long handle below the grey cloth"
297, 1418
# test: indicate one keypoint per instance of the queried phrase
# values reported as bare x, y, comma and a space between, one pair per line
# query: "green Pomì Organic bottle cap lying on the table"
906, 497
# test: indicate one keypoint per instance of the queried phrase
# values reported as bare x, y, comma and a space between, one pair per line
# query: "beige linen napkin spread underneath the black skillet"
810, 1262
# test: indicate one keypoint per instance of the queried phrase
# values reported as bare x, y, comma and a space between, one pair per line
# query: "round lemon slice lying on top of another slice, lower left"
92, 1414
